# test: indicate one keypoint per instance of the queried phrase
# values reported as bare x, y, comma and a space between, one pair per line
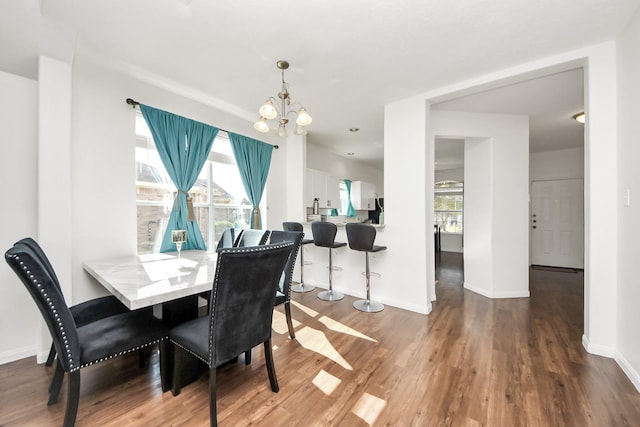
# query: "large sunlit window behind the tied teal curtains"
219, 198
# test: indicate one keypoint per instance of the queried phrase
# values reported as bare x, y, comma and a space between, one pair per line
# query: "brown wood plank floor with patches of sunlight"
472, 362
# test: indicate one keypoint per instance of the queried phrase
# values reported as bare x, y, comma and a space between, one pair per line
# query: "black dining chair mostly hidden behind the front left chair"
83, 313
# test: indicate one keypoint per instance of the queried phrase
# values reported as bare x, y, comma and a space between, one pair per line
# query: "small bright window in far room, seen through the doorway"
448, 206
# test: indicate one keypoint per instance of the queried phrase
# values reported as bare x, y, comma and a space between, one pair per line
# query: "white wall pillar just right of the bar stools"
409, 204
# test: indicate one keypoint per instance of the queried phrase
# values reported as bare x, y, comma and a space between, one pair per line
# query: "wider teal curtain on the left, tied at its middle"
184, 146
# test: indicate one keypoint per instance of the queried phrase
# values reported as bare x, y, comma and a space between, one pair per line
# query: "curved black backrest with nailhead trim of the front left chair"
47, 295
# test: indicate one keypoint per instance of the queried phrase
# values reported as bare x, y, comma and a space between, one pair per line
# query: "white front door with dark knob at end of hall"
557, 223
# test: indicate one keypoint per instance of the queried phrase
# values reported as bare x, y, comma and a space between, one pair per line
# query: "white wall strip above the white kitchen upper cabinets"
344, 168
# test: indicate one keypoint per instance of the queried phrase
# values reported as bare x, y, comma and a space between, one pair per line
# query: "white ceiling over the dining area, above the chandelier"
348, 58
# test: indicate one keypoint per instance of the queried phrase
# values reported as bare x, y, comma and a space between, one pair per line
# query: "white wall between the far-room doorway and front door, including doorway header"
496, 177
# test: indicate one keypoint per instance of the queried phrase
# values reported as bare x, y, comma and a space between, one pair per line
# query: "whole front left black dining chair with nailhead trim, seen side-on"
81, 346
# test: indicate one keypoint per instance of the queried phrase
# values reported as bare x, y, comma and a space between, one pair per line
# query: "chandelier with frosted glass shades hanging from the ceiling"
281, 107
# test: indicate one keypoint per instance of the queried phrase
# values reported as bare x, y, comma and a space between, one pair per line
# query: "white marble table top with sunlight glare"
144, 280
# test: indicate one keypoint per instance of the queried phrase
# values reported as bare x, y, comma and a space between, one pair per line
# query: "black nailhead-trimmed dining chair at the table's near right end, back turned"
240, 314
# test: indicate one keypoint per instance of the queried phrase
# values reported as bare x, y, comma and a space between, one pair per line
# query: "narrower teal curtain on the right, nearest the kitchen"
254, 159
